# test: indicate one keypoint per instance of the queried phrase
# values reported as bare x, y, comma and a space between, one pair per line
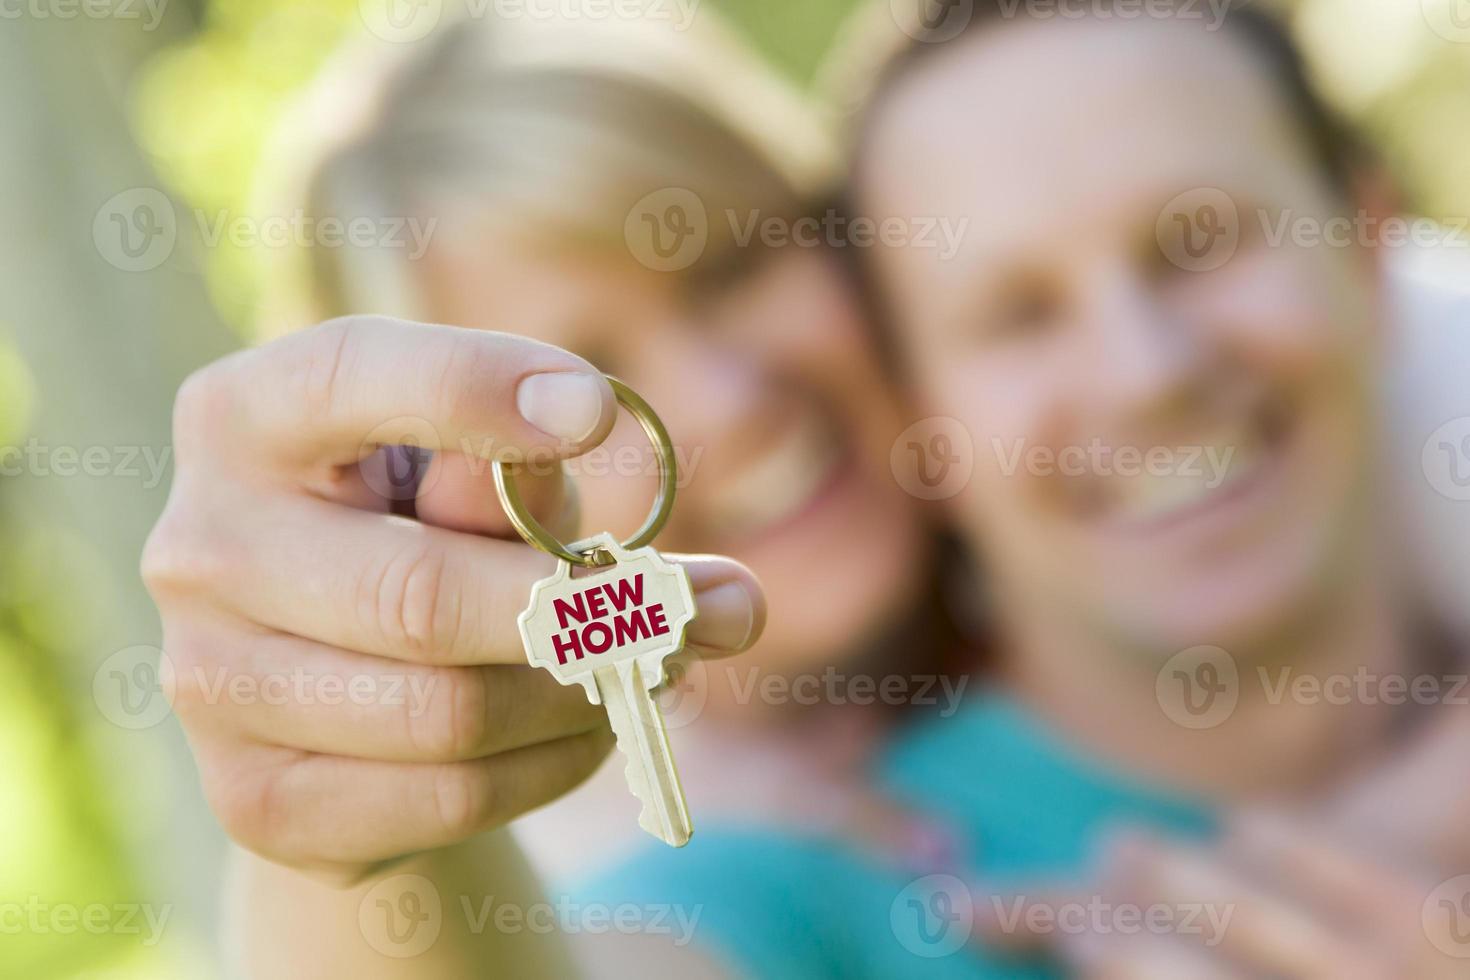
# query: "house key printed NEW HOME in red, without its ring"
611, 633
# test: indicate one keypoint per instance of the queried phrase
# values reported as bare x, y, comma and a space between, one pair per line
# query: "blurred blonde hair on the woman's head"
561, 126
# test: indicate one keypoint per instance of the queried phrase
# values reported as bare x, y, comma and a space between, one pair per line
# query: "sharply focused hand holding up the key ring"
354, 682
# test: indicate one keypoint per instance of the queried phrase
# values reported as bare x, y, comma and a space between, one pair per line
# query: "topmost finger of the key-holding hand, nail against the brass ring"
337, 392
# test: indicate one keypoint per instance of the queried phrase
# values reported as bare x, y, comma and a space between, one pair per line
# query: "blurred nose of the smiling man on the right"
1144, 356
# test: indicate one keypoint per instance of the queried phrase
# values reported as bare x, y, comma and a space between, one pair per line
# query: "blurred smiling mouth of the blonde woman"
790, 477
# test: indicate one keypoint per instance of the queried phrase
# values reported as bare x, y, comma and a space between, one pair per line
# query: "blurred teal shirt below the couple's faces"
775, 906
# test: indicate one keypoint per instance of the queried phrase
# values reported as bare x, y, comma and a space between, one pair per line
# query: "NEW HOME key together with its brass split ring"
611, 631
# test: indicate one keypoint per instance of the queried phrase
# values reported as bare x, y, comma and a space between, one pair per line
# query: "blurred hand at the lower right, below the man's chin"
1274, 900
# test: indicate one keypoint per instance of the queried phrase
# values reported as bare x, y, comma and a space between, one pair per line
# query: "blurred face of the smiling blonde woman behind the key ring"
775, 406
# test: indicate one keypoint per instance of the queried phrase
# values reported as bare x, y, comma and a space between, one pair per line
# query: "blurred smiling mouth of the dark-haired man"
1193, 478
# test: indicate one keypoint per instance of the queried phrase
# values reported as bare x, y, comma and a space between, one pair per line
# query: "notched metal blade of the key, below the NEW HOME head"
642, 738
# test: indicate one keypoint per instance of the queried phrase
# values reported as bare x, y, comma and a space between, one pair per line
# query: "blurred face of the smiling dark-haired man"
1169, 456
